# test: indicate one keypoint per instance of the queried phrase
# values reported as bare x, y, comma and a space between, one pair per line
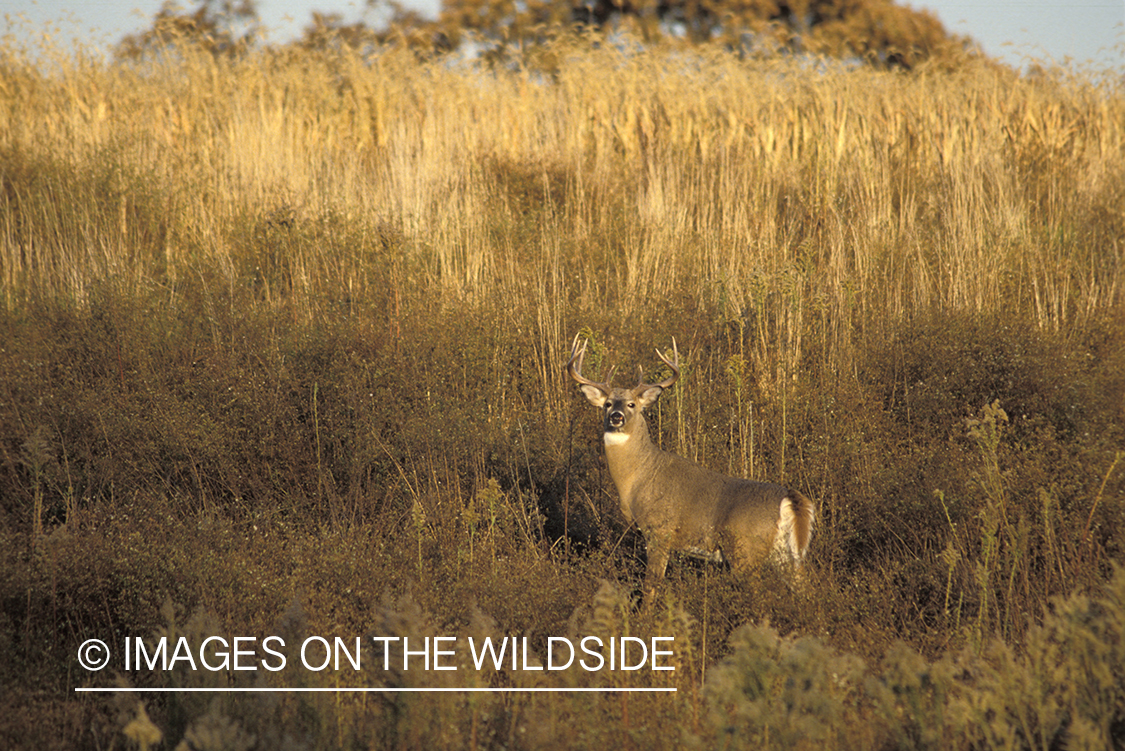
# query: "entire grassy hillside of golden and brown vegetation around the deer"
282, 348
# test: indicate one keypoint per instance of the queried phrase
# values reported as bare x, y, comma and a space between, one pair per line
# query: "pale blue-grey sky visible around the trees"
1014, 31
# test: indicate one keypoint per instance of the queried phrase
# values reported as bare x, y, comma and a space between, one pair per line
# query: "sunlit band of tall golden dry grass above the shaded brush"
841, 196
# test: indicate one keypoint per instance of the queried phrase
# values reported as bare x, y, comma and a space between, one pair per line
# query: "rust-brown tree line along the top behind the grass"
875, 32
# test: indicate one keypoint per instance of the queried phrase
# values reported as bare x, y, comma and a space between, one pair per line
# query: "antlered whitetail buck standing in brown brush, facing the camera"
680, 505
